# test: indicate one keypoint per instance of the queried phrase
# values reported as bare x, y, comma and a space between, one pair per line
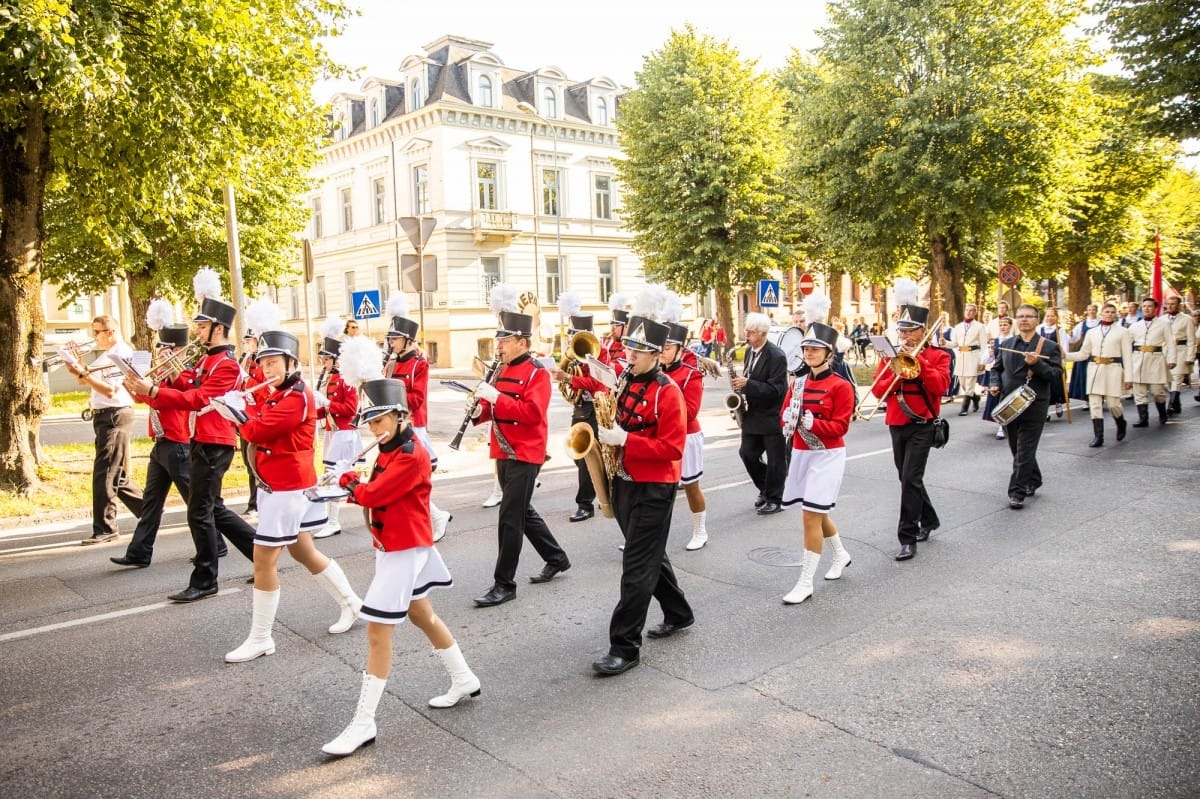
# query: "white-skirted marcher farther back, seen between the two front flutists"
338, 402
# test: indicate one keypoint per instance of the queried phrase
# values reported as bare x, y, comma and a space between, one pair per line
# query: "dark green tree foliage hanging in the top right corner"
1159, 41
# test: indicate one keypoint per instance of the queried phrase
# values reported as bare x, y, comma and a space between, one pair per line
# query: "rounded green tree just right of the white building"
703, 146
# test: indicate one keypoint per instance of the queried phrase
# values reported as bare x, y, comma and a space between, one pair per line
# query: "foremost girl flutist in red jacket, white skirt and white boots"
407, 564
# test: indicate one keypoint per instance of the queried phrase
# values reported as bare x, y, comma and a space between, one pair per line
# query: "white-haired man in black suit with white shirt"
764, 385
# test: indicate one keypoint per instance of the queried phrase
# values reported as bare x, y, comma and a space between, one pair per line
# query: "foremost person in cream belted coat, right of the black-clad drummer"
1108, 355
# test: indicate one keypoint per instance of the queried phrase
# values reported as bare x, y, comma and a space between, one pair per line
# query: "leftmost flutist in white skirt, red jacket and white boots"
281, 429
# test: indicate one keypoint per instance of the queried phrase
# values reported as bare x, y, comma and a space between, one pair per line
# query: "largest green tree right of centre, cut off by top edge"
933, 125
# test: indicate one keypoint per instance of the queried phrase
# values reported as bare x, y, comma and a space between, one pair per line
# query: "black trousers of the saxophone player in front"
644, 513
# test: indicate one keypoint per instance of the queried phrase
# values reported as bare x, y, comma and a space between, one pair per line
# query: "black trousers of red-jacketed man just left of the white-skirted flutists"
208, 519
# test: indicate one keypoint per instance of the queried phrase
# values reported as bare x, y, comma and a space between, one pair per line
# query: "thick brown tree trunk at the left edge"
25, 170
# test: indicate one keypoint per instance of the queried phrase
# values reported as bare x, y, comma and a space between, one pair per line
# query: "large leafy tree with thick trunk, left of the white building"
119, 125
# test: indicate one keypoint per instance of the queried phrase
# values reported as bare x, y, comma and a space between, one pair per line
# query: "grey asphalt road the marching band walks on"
1051, 652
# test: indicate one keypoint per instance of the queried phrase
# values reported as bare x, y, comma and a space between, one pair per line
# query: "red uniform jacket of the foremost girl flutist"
399, 495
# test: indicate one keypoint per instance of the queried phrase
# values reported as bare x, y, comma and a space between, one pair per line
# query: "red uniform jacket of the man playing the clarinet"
521, 412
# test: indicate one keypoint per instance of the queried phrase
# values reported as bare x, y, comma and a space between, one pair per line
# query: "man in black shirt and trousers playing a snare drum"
1037, 364
